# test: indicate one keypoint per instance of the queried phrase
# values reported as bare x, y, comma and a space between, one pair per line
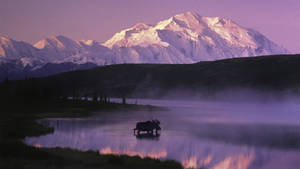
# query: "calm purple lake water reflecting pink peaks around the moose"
197, 134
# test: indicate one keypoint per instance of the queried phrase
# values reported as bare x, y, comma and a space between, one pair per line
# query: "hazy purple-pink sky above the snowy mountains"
32, 20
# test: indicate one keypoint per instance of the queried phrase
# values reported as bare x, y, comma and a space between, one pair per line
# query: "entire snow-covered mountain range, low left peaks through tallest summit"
181, 39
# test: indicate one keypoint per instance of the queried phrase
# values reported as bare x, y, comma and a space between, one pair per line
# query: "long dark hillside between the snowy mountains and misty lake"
265, 74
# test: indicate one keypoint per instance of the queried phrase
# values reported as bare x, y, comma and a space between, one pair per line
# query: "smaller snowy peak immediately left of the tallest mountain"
61, 49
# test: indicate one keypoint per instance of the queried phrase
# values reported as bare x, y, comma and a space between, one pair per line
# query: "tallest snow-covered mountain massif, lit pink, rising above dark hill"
189, 38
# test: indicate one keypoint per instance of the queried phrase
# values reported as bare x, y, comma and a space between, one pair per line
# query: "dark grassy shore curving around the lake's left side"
19, 120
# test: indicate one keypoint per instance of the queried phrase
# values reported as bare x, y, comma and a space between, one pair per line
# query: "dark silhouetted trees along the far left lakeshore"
29, 91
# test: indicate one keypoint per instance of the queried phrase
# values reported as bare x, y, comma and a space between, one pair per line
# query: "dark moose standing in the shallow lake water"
148, 126
